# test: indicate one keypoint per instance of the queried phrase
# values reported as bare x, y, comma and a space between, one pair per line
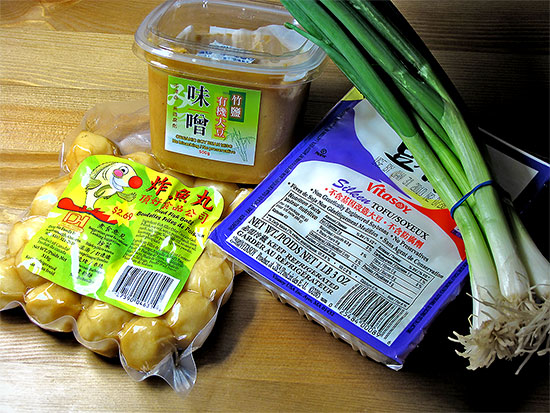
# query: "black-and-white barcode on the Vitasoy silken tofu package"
370, 311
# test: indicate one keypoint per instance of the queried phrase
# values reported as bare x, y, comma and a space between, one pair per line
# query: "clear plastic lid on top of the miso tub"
230, 35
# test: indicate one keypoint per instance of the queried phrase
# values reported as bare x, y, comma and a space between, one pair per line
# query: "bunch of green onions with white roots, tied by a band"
509, 277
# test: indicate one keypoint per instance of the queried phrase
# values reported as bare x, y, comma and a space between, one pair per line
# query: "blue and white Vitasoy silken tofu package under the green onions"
348, 230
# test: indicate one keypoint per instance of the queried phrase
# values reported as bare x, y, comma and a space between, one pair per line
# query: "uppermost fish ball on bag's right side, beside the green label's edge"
210, 276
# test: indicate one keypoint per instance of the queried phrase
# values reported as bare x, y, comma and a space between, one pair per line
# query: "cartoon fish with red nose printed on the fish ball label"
109, 179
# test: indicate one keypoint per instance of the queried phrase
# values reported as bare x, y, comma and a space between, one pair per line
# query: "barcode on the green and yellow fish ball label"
142, 287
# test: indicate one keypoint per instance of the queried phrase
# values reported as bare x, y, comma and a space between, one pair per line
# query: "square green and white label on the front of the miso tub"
212, 121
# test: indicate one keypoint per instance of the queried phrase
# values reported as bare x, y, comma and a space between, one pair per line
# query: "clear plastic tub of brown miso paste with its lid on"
227, 82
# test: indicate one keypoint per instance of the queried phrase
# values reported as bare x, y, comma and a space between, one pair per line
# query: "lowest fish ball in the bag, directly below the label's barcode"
144, 342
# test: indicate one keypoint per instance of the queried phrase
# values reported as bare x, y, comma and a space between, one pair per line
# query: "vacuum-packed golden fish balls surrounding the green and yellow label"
106, 329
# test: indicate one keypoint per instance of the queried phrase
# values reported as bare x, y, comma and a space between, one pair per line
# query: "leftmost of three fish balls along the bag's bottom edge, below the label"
49, 302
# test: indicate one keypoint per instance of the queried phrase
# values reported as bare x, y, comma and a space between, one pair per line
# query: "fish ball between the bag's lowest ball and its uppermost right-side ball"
188, 316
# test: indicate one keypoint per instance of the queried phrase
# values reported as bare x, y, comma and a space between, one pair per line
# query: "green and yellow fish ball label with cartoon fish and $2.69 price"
124, 234
